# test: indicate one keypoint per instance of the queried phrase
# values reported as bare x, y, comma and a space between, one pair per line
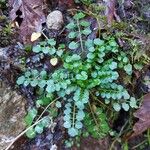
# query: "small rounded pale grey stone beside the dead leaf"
55, 20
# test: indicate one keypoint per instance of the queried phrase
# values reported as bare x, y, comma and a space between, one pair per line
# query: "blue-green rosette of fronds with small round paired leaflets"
78, 77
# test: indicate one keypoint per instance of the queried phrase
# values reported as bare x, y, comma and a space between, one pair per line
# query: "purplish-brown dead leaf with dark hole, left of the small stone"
32, 16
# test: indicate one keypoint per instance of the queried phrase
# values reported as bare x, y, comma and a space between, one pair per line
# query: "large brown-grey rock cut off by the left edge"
12, 112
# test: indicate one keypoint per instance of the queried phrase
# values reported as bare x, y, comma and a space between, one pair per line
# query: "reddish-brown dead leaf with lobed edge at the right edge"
143, 114
